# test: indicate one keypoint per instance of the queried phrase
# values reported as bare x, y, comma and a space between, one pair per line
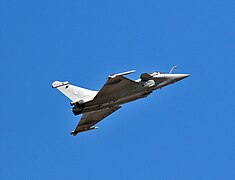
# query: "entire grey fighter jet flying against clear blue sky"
118, 90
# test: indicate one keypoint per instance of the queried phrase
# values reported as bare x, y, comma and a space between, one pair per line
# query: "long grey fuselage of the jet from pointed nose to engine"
131, 93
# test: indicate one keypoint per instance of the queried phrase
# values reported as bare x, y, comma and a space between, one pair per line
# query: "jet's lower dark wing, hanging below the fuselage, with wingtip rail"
89, 119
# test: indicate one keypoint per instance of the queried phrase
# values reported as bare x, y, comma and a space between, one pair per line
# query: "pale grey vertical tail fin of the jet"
73, 92
